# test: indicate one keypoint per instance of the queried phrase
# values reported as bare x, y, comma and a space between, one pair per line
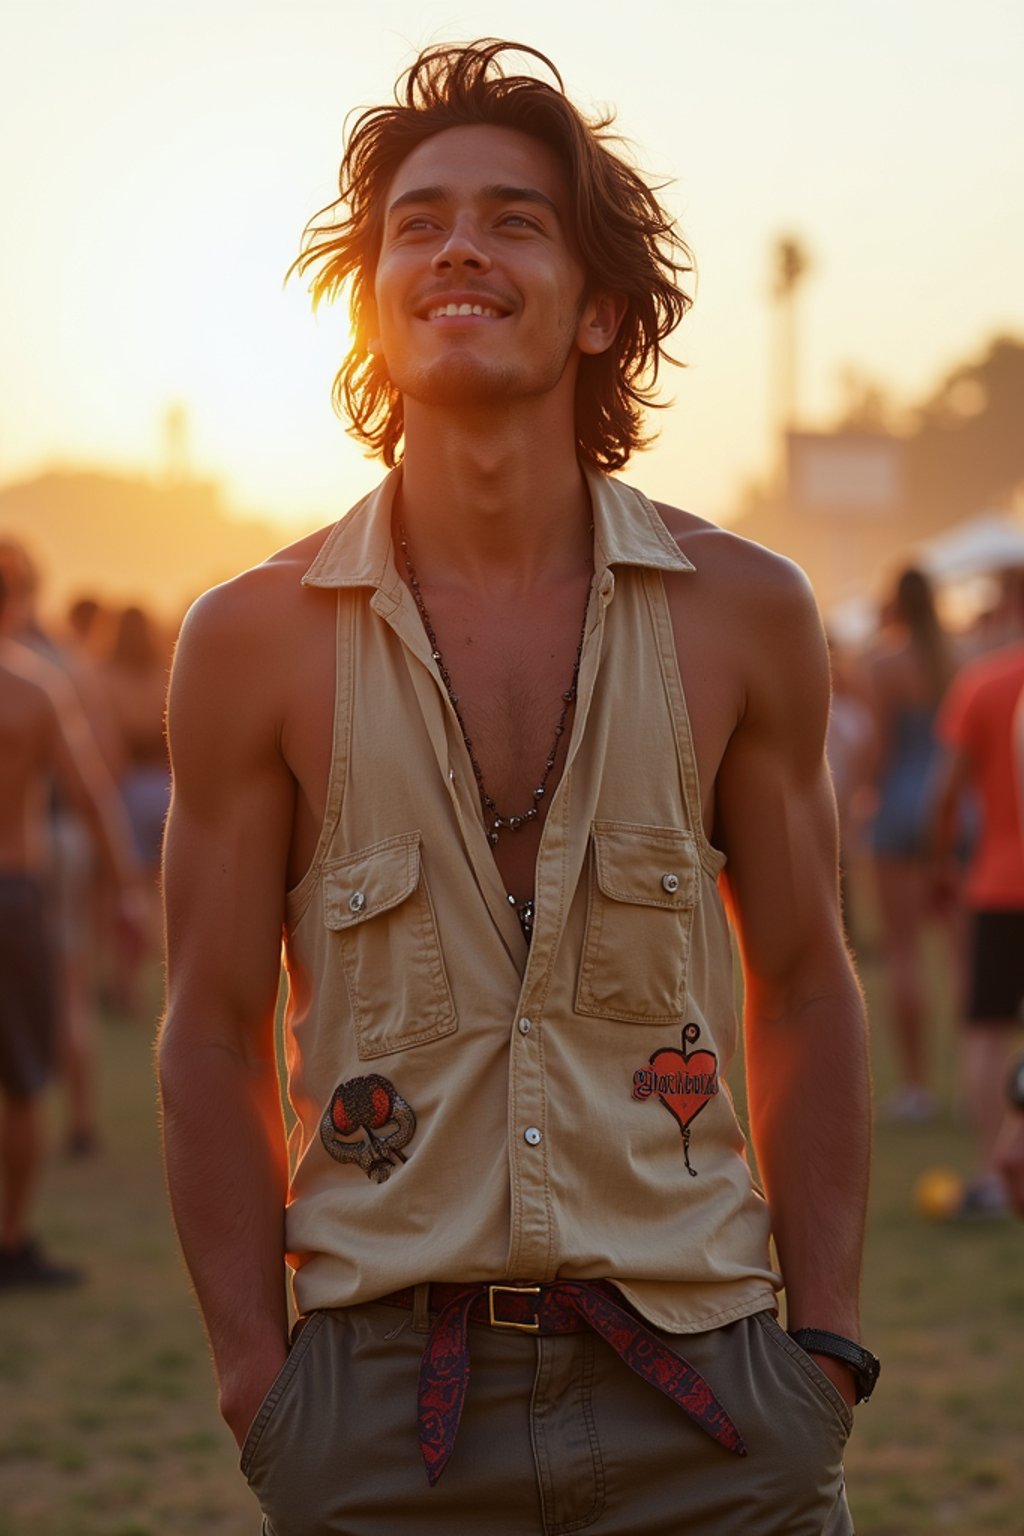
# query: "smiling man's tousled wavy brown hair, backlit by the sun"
627, 242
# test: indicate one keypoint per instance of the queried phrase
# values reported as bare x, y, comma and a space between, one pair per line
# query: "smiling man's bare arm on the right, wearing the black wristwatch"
805, 1024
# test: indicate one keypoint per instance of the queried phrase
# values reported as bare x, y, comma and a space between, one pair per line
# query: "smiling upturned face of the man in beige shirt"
480, 290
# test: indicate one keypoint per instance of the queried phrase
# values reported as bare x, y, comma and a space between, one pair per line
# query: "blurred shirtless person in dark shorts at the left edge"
44, 740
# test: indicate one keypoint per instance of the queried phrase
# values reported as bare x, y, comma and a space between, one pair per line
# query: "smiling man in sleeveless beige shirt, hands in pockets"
487, 752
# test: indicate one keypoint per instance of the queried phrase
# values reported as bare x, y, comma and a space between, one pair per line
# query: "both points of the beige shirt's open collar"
627, 532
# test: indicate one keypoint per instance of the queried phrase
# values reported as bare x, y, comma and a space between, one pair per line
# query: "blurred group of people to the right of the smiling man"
927, 746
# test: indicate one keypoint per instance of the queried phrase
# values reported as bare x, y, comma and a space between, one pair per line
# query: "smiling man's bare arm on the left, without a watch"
225, 882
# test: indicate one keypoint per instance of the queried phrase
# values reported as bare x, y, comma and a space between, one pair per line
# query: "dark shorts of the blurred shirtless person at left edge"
28, 988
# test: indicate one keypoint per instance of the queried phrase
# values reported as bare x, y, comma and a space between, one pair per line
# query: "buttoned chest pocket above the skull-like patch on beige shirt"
378, 904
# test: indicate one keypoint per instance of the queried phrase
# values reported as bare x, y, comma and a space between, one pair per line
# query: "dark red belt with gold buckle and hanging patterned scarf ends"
567, 1306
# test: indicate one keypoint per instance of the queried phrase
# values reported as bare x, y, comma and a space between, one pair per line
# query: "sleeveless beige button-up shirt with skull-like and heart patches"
471, 1107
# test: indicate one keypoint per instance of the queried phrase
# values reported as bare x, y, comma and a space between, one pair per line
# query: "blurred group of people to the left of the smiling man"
85, 787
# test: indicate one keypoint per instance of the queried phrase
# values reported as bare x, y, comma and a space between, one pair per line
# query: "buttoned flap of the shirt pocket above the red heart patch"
646, 866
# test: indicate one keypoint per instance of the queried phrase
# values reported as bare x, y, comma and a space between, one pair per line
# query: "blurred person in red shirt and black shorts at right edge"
977, 727
